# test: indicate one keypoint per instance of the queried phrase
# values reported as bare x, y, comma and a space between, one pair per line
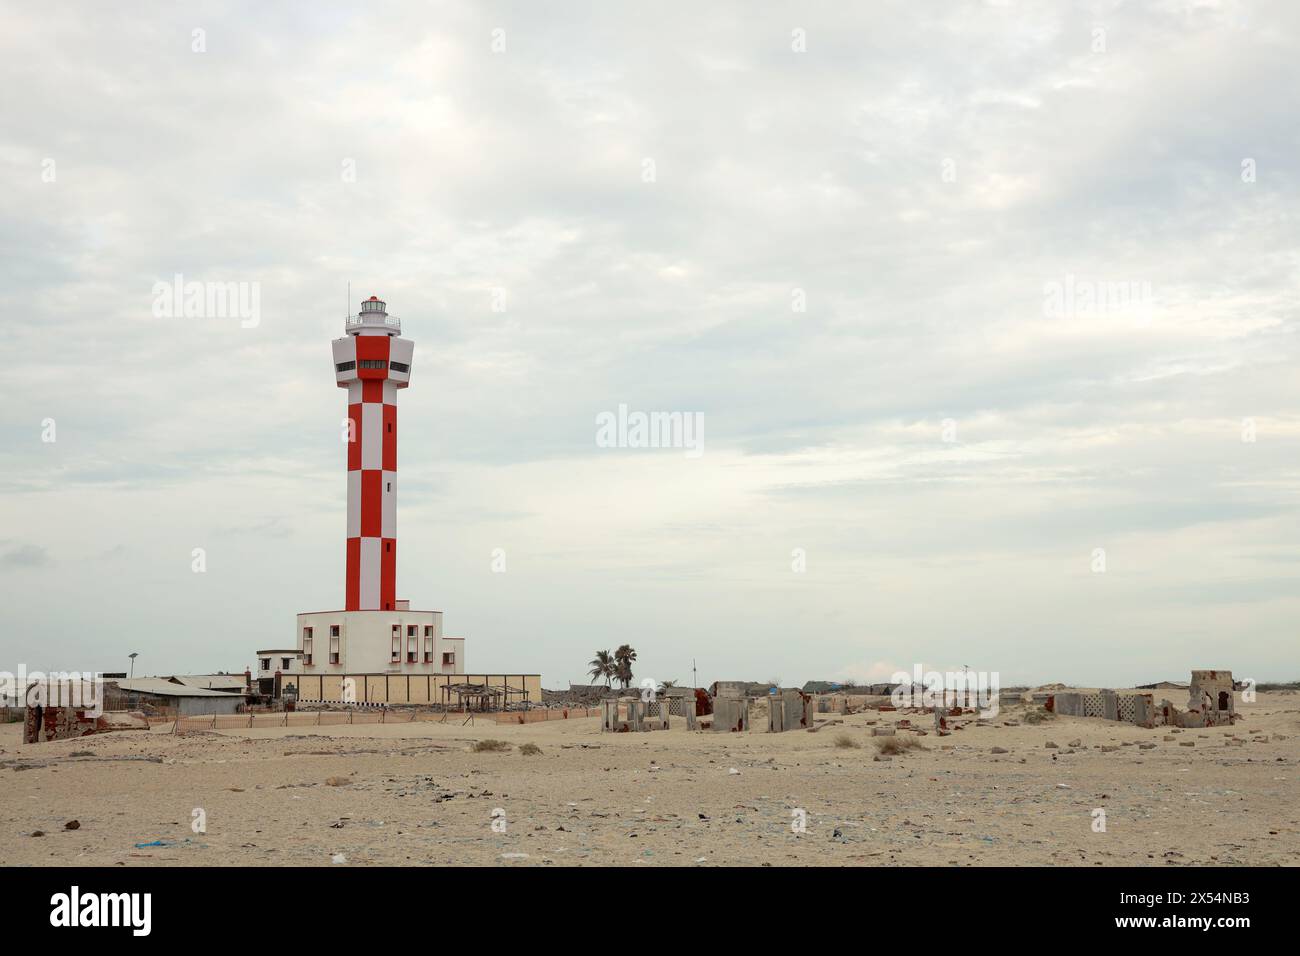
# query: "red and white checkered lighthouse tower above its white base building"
372, 362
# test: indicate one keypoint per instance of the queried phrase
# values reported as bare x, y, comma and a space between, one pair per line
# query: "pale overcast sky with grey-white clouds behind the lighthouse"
861, 241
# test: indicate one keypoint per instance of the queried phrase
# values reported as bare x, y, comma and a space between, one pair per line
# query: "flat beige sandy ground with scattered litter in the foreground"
418, 795
